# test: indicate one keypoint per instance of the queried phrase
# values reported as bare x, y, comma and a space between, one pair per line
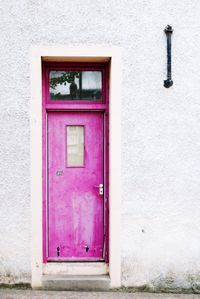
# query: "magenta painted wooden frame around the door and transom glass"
74, 106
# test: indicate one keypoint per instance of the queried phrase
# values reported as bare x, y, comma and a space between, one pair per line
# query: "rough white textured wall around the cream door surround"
160, 129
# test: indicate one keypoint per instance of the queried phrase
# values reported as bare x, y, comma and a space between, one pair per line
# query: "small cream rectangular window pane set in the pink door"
75, 146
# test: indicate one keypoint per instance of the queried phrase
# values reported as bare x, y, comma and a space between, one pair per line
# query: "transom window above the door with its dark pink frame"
79, 83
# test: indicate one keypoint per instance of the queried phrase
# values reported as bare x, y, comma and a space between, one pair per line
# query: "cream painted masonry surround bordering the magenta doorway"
75, 54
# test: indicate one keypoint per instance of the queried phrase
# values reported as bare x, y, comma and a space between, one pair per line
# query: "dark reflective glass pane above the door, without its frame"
75, 85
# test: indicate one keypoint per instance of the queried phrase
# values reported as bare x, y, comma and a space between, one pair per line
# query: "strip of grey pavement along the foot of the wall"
24, 294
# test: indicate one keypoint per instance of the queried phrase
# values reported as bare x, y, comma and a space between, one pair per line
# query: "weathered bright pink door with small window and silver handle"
75, 182
